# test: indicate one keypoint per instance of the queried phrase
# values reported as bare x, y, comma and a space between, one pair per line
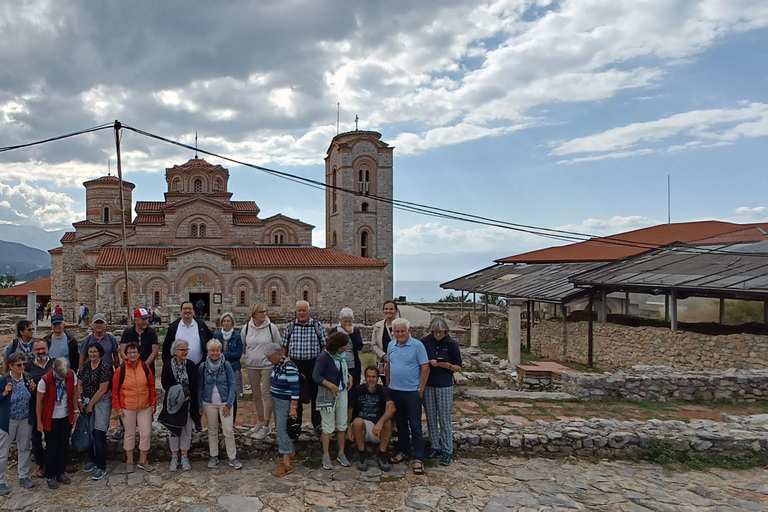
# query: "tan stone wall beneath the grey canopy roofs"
619, 346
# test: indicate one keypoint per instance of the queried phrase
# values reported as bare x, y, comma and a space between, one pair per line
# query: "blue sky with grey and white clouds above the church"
558, 114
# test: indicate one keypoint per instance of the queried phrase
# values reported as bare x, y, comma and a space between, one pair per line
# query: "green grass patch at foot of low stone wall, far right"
665, 453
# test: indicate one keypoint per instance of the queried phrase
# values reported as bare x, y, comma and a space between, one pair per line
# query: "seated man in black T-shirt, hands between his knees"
370, 415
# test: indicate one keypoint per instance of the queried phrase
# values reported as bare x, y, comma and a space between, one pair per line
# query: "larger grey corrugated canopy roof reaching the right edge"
737, 270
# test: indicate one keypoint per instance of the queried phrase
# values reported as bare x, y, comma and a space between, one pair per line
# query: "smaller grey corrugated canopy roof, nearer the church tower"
542, 282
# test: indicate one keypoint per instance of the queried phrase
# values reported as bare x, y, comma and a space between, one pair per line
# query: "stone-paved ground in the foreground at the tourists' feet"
496, 484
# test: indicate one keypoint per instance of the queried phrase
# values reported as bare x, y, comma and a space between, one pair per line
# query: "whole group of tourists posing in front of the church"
50, 383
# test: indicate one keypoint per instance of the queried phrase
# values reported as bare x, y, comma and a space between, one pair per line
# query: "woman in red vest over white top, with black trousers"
56, 412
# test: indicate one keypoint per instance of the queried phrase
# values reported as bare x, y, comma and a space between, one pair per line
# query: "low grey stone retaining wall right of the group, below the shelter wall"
661, 384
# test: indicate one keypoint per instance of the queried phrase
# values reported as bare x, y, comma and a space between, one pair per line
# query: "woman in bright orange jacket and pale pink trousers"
134, 399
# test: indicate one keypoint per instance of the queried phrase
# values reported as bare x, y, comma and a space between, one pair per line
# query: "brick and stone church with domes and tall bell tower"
199, 244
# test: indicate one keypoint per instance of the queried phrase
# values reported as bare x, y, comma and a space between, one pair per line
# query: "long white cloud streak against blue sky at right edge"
700, 125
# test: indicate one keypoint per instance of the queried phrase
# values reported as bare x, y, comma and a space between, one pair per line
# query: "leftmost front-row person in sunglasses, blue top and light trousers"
16, 420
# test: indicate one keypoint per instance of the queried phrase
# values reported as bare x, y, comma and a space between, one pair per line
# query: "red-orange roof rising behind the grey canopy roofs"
623, 245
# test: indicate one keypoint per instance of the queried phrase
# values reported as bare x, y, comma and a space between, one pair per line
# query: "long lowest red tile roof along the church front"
244, 257
